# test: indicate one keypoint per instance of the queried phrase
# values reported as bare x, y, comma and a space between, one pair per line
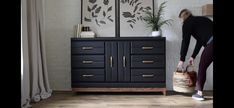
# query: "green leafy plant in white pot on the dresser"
156, 21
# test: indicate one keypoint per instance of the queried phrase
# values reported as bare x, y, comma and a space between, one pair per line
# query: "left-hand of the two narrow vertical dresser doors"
111, 61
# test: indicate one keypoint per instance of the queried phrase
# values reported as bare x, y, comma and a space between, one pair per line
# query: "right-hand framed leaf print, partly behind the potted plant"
131, 17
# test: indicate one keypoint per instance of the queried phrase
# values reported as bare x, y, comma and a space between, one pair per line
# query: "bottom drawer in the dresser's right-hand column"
147, 75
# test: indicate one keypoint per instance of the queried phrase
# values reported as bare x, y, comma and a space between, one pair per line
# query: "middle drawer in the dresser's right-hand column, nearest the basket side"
147, 61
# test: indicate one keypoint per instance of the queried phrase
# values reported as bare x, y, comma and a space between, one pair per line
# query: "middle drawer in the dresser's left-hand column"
85, 61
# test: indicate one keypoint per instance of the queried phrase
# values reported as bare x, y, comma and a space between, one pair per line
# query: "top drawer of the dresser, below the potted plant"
147, 47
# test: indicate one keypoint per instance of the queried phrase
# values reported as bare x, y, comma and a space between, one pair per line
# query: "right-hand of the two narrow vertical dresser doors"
123, 61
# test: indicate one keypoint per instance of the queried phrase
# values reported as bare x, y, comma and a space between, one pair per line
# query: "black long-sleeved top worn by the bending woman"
201, 28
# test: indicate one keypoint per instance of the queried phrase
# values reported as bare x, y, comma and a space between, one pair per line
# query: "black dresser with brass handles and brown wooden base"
125, 64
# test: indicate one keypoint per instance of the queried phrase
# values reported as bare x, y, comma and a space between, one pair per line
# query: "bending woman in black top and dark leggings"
201, 28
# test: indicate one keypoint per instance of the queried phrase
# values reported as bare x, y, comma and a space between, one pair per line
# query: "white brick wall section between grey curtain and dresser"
60, 17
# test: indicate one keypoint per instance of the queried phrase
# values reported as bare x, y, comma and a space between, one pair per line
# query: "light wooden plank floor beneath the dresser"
123, 100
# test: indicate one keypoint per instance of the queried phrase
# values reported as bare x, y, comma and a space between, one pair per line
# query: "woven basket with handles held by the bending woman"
184, 81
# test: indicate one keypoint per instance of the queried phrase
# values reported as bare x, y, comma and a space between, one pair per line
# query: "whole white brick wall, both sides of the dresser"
62, 15
